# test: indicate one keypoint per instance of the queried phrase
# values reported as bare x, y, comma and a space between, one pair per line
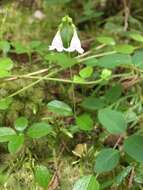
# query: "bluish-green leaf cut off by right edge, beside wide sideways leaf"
138, 59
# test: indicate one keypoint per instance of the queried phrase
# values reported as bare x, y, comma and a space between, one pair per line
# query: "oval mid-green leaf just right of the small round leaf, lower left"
38, 130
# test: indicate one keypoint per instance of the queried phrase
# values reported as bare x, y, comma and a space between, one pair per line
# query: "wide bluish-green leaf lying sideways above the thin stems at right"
114, 60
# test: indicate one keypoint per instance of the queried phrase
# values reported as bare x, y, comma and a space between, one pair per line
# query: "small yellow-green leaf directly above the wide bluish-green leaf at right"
125, 48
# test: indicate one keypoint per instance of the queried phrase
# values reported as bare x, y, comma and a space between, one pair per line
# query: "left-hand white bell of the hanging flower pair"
57, 43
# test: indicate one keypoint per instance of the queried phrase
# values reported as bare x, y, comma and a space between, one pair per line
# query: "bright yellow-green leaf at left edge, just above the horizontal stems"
6, 64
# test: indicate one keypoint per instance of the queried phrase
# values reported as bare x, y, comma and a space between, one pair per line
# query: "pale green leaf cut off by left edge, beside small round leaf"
6, 134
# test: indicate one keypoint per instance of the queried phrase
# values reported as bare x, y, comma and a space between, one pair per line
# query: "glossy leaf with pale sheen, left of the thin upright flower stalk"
60, 108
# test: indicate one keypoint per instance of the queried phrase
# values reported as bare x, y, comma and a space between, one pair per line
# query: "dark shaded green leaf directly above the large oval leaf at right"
114, 93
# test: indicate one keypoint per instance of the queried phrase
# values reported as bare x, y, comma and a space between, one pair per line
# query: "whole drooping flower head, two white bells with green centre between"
66, 38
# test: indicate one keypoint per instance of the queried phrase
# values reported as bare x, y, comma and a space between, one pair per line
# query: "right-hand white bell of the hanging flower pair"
75, 44
